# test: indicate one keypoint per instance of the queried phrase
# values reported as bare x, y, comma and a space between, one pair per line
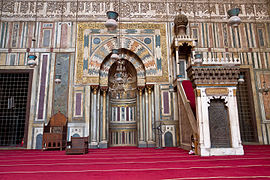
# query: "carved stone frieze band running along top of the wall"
88, 10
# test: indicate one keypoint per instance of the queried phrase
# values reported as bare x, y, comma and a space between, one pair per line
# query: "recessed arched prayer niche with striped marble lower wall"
122, 99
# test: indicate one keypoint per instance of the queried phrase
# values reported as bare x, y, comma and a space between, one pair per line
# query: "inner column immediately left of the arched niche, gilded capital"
104, 141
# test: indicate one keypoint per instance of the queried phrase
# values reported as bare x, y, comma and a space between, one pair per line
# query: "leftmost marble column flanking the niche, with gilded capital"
94, 143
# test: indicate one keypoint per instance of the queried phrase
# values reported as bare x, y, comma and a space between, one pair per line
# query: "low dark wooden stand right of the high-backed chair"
77, 145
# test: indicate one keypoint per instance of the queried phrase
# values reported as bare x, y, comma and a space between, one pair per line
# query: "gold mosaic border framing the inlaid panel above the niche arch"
80, 78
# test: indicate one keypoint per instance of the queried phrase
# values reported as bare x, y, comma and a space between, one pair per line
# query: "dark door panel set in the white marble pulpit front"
219, 124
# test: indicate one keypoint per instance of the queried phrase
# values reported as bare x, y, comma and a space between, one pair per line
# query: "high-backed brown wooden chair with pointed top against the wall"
55, 133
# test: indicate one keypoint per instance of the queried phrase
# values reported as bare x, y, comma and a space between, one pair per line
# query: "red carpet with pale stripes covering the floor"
133, 163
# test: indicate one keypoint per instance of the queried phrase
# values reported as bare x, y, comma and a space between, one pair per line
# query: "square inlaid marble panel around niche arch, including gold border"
92, 51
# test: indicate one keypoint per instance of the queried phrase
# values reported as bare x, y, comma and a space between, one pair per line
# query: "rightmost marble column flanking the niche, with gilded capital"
150, 141
